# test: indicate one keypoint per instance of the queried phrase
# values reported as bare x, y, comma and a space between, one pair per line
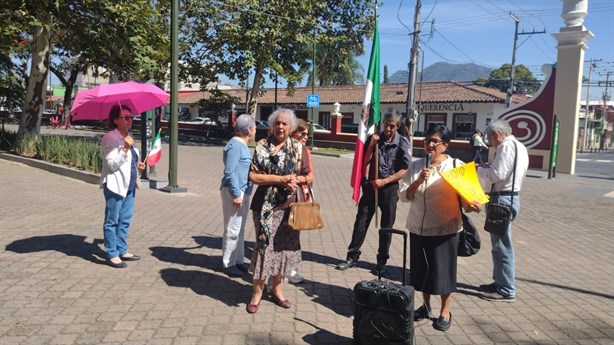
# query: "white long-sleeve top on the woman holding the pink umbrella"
115, 163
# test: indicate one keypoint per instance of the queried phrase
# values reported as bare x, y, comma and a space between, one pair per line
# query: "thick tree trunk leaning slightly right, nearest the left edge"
37, 81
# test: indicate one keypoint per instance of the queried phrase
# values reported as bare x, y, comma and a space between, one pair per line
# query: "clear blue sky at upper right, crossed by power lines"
482, 32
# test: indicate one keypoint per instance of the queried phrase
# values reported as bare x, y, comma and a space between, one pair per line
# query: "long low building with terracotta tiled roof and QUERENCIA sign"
459, 106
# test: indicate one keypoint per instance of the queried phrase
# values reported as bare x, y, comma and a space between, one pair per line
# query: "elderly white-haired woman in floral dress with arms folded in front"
279, 165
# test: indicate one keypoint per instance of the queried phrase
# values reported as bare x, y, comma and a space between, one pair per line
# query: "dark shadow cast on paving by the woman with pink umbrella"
71, 245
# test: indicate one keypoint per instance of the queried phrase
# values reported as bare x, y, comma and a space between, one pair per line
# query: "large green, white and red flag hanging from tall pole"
370, 115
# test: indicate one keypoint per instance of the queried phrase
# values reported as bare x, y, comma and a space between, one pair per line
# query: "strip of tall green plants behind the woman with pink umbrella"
80, 153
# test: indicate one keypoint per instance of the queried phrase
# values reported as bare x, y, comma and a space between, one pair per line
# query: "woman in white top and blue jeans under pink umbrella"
119, 180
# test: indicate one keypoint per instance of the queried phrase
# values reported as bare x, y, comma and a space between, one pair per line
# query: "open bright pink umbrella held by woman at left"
96, 103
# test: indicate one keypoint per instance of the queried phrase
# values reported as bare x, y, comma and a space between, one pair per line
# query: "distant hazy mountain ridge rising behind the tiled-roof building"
443, 71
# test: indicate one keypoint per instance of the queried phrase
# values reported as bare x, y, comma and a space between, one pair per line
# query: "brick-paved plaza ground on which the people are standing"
56, 289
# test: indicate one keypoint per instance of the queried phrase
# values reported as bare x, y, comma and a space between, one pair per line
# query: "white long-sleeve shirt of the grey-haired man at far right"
500, 171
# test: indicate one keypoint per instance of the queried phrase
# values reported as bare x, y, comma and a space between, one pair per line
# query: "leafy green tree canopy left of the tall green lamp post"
126, 37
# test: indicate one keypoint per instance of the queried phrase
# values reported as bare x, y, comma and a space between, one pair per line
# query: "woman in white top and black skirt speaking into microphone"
434, 221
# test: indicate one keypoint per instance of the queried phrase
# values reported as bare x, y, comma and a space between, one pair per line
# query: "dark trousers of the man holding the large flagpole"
387, 202
